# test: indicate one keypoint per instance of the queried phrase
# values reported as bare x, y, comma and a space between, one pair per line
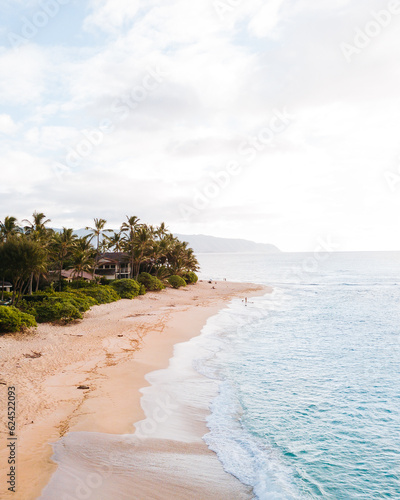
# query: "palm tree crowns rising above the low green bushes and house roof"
31, 252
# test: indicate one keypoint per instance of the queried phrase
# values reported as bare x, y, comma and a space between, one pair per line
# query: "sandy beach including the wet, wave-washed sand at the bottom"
109, 352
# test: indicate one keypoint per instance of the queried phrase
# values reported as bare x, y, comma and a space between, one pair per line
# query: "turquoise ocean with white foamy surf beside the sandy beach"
309, 400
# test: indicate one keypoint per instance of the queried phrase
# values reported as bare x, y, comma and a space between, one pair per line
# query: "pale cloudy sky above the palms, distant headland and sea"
275, 121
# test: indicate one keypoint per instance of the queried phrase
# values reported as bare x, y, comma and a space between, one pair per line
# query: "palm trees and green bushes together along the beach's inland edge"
55, 276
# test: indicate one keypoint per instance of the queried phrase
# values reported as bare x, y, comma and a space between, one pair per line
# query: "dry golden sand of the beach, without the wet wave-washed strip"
113, 349
